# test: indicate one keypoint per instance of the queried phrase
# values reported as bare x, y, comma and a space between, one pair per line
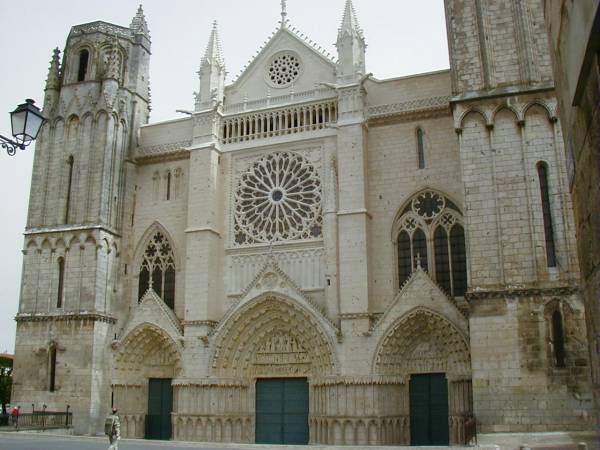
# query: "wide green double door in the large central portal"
282, 411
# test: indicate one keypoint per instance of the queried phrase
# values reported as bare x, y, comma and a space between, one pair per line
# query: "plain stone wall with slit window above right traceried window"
394, 177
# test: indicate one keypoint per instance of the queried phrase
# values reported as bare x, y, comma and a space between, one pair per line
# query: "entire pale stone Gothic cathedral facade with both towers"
312, 254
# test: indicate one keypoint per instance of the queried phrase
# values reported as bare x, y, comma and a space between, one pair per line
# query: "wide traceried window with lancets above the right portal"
430, 234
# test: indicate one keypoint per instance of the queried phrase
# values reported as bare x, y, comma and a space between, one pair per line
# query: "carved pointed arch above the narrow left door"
147, 352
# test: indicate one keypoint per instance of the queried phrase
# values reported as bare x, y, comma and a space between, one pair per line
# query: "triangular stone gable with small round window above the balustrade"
256, 83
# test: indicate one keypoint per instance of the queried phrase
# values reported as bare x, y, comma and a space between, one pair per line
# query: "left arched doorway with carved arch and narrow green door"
145, 364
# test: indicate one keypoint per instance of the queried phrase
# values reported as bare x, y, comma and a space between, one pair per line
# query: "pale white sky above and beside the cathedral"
403, 36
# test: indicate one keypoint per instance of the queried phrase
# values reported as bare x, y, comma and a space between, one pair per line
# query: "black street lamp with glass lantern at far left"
26, 122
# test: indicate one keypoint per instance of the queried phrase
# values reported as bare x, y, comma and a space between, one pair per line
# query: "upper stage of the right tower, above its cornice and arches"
496, 44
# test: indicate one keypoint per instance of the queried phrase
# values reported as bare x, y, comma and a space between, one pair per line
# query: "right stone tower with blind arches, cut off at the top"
523, 275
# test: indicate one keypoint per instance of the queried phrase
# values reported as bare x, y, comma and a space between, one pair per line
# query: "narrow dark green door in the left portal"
160, 406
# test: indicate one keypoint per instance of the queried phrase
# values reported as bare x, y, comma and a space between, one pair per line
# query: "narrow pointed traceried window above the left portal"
158, 270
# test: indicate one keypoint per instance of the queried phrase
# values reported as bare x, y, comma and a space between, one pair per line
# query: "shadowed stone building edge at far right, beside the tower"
574, 34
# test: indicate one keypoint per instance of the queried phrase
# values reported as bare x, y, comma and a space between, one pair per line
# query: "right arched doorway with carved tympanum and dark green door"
433, 356
